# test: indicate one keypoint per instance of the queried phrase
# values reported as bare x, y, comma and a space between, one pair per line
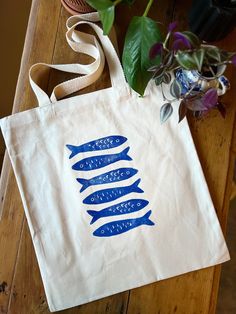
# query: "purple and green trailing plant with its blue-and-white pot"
197, 69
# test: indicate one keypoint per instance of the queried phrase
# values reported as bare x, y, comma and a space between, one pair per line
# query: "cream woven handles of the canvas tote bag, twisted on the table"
87, 44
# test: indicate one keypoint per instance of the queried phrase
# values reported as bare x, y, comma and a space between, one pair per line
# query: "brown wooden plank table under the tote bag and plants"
21, 289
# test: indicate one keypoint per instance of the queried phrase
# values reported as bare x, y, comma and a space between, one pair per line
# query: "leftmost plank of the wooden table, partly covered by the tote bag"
35, 49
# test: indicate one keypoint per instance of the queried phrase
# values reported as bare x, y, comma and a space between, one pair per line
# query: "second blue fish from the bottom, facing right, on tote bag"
122, 208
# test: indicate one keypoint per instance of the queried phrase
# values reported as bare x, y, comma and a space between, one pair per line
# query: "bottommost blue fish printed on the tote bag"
117, 227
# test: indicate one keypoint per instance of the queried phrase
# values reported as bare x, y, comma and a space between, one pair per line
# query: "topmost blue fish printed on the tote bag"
99, 144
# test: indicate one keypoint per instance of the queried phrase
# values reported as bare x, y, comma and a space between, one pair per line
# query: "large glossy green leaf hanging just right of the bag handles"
142, 33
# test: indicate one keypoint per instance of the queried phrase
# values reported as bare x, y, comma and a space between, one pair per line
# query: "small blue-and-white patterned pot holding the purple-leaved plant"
193, 80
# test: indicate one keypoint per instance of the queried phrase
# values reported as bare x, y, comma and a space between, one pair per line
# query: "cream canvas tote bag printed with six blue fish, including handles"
114, 200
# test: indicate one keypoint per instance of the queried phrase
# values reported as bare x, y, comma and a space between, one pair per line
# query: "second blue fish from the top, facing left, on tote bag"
96, 162
